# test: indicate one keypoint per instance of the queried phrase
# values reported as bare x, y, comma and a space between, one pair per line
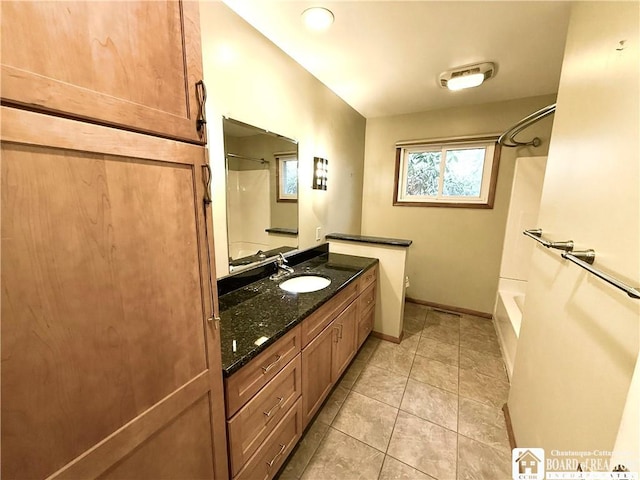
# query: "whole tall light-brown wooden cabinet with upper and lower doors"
110, 349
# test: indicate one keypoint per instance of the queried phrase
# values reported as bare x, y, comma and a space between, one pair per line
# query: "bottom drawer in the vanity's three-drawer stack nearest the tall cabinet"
273, 452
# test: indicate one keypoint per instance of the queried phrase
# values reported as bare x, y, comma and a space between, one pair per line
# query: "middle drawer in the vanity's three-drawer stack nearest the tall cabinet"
257, 419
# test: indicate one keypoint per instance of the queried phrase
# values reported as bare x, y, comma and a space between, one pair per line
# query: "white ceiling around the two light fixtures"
384, 57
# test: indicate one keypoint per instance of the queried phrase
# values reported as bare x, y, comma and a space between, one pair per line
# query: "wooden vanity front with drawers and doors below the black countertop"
271, 400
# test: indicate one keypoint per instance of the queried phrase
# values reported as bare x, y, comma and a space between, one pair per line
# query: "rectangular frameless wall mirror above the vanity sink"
262, 194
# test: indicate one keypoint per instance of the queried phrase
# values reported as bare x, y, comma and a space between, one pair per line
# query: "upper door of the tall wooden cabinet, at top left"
130, 64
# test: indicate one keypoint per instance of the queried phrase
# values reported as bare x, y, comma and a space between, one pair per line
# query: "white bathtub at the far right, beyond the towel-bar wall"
507, 317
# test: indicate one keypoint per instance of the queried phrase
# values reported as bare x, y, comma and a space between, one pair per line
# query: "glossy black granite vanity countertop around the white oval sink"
262, 309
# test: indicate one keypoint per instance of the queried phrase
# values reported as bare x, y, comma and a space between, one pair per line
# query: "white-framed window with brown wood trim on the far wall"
453, 173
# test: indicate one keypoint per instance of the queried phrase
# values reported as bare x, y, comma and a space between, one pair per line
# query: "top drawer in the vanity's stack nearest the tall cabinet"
244, 384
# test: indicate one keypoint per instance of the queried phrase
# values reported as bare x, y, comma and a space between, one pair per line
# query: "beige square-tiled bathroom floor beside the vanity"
429, 408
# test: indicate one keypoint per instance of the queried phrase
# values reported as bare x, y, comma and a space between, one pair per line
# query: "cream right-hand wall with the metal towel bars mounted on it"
579, 338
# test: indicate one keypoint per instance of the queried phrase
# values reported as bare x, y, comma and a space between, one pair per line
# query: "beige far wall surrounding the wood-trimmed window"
456, 252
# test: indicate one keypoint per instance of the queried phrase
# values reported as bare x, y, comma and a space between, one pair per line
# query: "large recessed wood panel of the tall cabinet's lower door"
83, 281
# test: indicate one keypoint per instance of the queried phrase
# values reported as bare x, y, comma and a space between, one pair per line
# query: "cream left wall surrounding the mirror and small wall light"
249, 79
